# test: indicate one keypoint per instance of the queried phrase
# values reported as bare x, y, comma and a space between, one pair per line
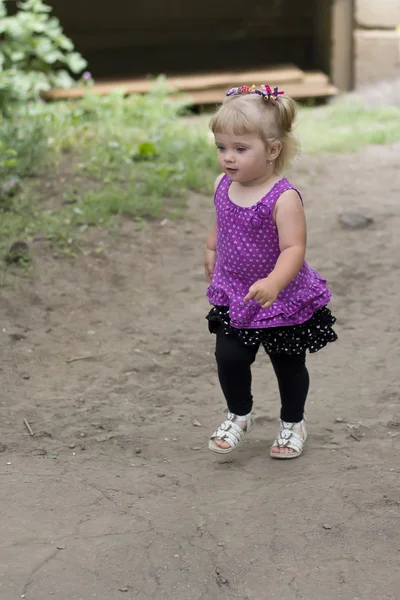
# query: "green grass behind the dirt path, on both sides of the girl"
136, 157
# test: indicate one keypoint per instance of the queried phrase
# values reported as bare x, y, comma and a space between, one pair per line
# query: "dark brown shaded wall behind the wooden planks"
159, 36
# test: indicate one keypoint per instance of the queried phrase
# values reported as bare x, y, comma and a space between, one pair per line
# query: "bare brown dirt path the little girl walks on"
139, 508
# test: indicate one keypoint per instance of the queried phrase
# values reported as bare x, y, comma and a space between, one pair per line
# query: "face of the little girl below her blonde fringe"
244, 158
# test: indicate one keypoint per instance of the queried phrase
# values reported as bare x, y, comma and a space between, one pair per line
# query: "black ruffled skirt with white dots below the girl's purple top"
312, 335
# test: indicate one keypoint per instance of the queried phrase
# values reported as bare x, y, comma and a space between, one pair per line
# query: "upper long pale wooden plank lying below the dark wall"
278, 75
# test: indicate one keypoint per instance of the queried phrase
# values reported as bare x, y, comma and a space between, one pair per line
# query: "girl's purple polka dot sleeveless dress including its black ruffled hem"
247, 250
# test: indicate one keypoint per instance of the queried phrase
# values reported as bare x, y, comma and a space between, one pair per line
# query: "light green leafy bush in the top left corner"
35, 54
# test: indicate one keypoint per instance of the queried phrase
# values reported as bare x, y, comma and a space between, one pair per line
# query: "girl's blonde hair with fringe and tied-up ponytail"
251, 113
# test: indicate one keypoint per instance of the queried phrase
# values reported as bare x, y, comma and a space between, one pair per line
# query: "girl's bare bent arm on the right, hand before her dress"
292, 230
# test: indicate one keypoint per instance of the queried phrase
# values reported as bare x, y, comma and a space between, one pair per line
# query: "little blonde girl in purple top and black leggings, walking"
262, 290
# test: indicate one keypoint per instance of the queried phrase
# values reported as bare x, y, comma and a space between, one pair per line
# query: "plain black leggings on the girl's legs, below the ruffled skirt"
234, 362
